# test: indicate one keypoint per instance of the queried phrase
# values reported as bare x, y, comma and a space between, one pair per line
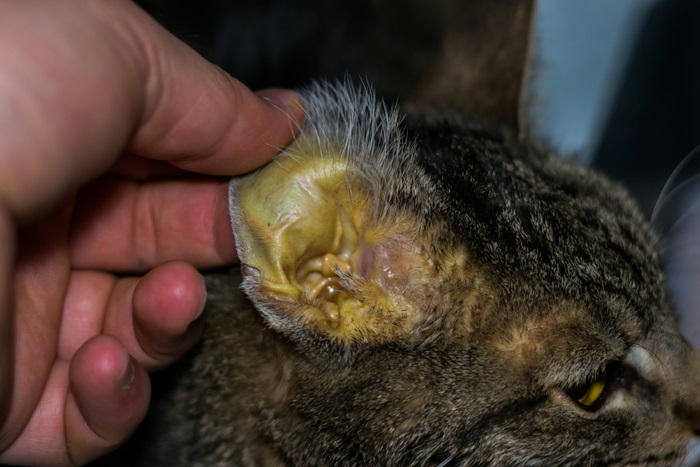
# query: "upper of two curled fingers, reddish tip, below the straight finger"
159, 316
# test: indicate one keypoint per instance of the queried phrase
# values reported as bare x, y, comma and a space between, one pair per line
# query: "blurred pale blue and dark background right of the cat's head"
620, 87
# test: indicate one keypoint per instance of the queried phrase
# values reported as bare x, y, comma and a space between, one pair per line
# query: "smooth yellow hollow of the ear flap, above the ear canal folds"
290, 213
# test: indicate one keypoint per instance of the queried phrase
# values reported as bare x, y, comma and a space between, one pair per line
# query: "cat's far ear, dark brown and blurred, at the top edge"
484, 61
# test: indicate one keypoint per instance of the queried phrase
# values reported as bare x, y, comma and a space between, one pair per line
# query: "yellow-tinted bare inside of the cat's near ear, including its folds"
304, 231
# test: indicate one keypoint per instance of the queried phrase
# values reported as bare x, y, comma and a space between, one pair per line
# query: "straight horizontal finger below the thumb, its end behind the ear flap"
121, 225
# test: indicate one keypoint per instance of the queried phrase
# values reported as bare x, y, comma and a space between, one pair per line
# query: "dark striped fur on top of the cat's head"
540, 227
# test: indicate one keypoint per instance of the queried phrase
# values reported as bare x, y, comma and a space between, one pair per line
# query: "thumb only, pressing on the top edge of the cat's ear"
200, 118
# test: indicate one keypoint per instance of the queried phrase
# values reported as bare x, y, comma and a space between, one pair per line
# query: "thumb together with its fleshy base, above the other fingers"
144, 89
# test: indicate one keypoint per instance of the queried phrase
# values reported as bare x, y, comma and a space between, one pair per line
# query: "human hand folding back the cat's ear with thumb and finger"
103, 118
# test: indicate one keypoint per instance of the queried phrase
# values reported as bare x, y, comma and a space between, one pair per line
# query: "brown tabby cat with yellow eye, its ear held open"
427, 286
